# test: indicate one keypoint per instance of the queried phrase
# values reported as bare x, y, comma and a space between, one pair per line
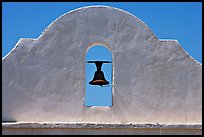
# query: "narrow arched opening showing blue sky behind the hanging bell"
98, 95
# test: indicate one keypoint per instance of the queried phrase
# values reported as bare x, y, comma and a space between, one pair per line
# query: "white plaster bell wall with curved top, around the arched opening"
154, 81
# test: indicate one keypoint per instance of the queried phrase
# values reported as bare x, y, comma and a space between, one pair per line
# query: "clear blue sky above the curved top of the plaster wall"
168, 20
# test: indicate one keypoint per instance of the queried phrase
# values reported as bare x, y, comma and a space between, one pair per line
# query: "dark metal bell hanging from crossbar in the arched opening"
99, 78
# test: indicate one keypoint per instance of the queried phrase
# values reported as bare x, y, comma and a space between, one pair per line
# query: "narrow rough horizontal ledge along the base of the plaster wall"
16, 125
